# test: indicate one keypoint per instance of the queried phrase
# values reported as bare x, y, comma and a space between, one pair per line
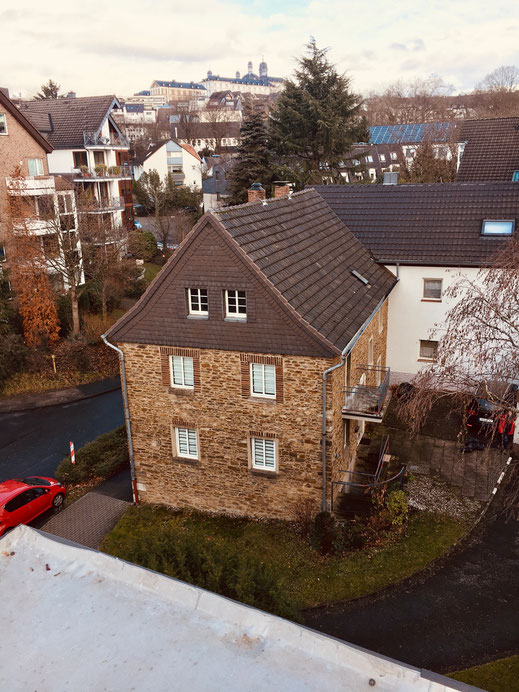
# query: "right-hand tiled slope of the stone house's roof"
308, 255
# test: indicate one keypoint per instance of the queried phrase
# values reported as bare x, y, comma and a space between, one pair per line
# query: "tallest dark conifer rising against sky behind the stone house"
317, 119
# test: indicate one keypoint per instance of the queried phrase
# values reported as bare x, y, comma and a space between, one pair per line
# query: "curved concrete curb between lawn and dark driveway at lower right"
424, 572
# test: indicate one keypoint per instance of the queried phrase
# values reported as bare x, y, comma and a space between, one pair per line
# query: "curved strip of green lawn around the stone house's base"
308, 578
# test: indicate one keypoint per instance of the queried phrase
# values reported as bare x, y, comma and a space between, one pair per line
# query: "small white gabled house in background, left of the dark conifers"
170, 158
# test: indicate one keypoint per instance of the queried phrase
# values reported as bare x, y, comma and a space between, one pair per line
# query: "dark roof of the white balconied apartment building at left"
67, 118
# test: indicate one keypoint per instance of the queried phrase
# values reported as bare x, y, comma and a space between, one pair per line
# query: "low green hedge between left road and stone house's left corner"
101, 458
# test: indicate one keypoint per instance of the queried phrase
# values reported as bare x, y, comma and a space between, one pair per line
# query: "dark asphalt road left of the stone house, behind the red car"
34, 442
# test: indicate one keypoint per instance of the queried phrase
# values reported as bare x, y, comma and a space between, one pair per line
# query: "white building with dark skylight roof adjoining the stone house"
427, 235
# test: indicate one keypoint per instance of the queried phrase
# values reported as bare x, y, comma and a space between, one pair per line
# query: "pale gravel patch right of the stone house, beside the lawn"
430, 494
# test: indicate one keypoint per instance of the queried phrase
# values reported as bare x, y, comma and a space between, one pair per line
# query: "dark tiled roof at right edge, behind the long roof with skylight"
491, 150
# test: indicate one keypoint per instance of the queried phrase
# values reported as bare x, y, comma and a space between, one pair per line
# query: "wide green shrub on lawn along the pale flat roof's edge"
196, 559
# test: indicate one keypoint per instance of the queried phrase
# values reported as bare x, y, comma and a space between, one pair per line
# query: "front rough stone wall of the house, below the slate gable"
222, 480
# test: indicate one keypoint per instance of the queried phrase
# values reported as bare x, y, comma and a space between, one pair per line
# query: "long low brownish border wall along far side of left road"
29, 402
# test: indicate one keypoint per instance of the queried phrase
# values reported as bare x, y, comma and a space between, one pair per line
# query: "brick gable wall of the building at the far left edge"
16, 147
